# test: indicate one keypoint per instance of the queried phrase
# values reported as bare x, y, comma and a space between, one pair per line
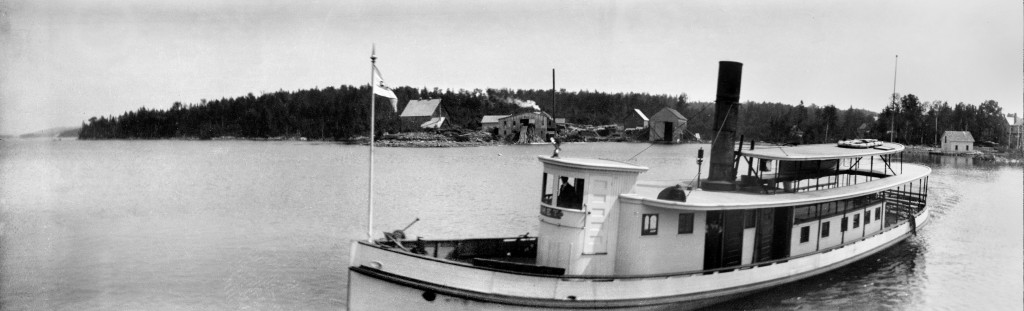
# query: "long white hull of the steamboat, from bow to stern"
383, 280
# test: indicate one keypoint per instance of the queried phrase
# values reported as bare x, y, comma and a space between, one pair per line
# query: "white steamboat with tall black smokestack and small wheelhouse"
608, 241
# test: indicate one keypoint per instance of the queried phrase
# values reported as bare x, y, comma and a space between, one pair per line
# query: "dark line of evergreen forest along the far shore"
343, 114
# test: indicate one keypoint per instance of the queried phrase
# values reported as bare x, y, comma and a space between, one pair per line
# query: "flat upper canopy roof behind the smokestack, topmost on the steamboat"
821, 152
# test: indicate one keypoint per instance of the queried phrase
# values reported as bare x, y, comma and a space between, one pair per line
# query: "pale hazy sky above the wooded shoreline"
64, 62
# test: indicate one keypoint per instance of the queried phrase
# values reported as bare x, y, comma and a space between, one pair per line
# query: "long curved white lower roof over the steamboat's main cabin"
647, 192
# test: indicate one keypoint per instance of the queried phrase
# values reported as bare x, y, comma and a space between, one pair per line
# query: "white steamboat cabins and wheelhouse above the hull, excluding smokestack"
598, 220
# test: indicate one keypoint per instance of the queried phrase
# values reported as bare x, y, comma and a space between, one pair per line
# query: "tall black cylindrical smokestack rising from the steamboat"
722, 175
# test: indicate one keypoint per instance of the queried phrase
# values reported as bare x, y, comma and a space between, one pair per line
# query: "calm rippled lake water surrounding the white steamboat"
229, 226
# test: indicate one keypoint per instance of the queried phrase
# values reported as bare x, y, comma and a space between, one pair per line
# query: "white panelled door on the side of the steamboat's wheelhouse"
598, 206
